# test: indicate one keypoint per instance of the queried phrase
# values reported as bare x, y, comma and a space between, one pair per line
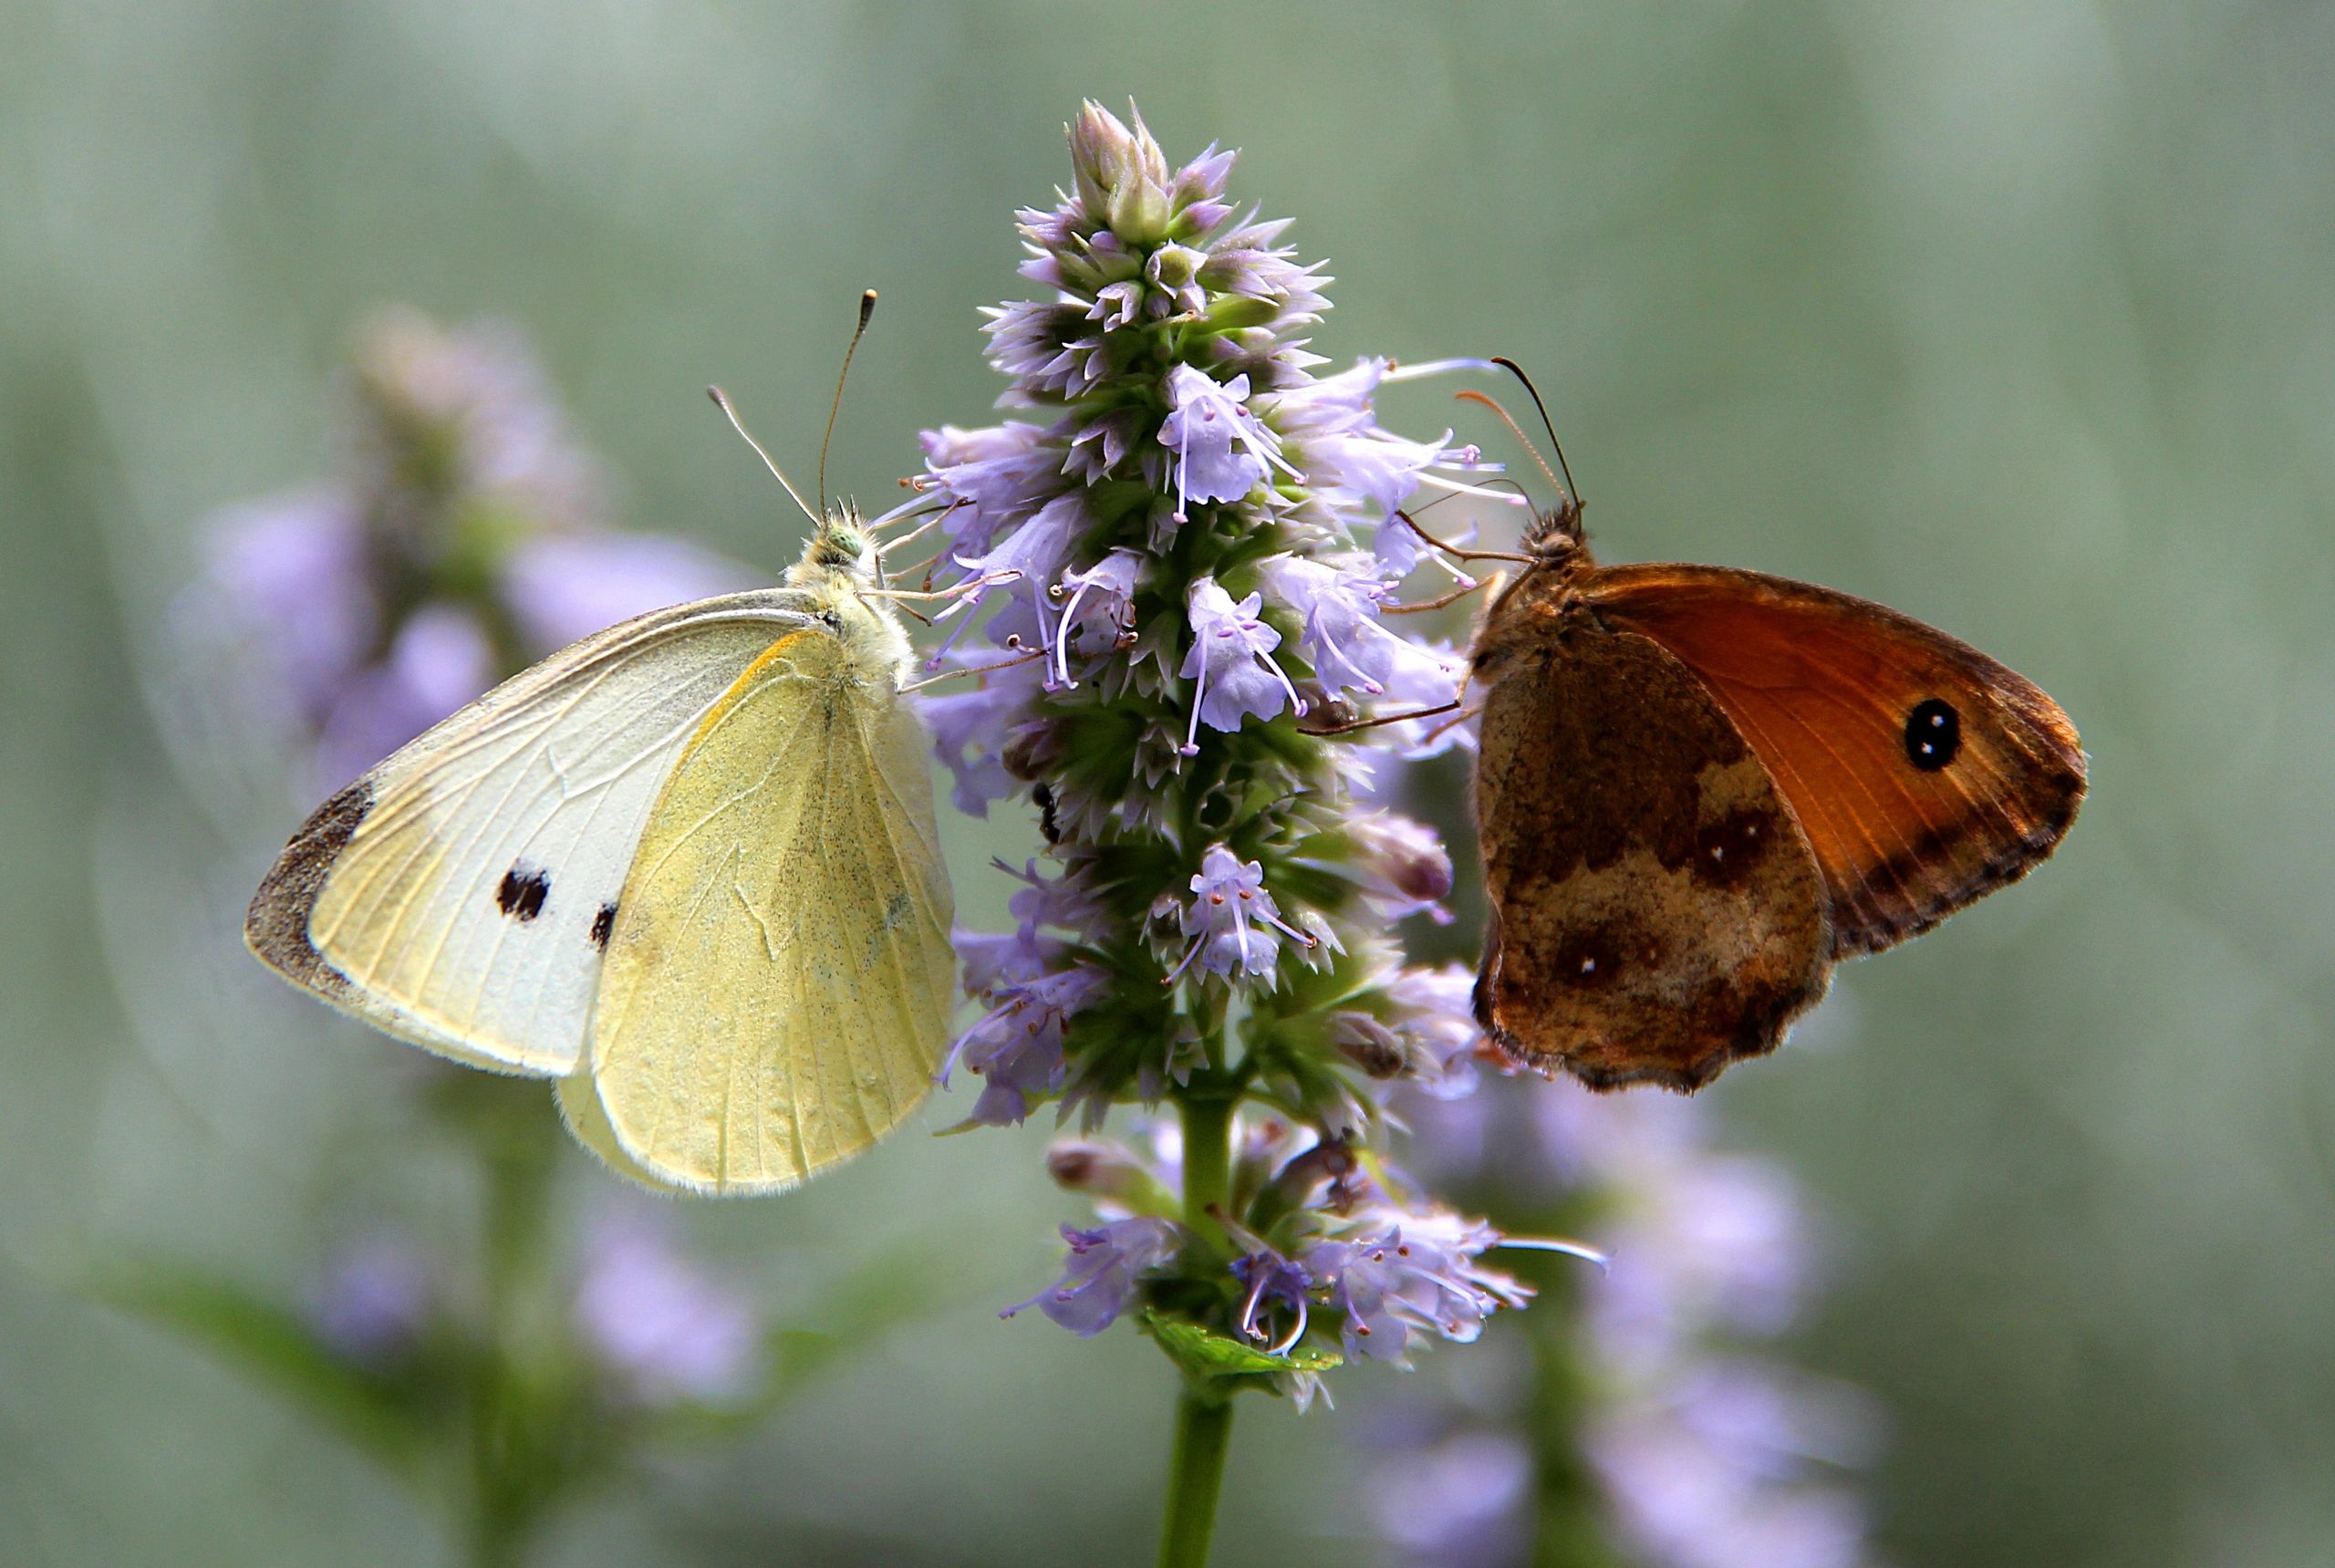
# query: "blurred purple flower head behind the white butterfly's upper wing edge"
466, 511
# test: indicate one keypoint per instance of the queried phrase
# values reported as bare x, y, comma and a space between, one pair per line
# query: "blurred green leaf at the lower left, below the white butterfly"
277, 1350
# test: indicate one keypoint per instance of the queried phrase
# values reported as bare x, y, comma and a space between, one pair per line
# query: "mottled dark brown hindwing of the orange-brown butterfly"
1654, 908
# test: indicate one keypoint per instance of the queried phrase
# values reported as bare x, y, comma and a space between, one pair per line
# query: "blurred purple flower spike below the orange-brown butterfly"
1708, 1455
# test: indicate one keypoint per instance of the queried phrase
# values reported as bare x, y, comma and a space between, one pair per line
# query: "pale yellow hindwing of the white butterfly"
779, 985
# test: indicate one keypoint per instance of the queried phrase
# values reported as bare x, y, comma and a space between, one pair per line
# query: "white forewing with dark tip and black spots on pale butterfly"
461, 896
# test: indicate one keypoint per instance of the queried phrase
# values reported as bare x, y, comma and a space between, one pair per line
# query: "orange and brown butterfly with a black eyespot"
1701, 789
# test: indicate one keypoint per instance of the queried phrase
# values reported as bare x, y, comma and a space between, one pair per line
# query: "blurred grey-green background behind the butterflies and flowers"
2016, 317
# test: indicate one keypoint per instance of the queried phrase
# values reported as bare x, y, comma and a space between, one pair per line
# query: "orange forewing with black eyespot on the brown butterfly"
1923, 772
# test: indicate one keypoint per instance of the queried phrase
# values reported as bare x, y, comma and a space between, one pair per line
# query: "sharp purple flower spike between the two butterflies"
1185, 534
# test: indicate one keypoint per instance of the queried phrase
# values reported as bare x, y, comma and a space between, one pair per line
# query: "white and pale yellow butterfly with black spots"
688, 868
